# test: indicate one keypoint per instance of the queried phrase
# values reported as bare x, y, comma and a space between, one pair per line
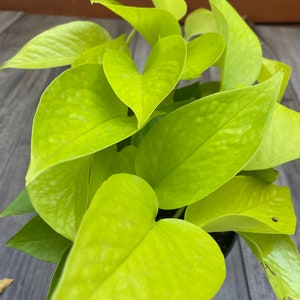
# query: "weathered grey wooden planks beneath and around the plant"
19, 95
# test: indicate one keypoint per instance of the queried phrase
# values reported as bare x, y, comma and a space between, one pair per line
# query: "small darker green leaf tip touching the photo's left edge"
19, 206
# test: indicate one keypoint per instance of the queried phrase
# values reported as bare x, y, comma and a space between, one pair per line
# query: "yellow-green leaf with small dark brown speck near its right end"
245, 204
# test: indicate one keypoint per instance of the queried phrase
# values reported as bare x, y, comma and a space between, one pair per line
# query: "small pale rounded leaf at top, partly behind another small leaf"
198, 22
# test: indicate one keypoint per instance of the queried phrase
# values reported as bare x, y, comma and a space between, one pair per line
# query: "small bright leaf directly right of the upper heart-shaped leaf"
202, 53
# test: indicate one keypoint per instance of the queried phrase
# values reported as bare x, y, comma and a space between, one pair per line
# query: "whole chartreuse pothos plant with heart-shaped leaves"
113, 146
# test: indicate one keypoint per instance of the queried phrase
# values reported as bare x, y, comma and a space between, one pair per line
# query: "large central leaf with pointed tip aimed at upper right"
185, 161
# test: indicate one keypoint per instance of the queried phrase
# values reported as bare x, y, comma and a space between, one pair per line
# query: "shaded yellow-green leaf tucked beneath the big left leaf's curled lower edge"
60, 195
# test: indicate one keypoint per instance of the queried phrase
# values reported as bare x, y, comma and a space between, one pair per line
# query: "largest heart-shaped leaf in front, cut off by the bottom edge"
123, 253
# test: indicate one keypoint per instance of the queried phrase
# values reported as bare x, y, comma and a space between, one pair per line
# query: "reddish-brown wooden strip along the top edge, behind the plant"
267, 11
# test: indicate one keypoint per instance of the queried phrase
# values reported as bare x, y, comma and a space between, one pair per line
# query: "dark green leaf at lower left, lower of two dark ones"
39, 240
